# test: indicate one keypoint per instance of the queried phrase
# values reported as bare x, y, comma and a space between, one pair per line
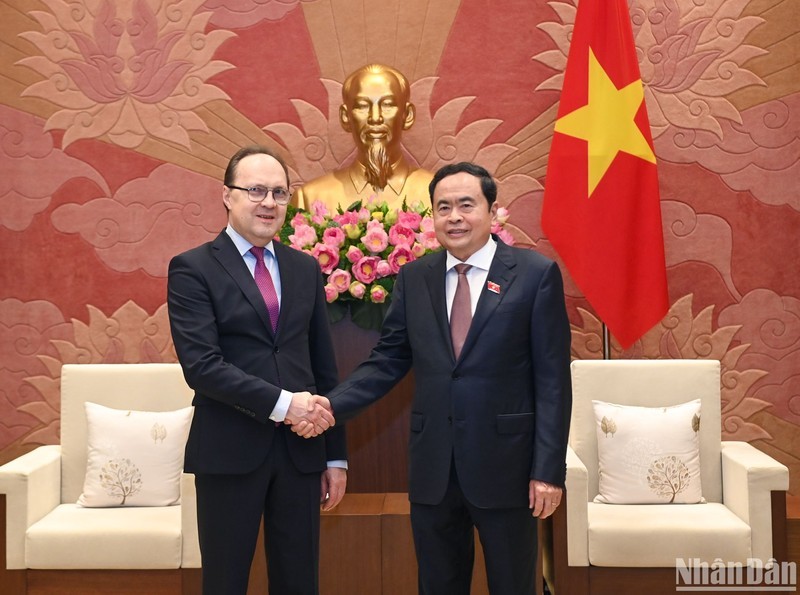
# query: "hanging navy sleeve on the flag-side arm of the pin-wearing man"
550, 340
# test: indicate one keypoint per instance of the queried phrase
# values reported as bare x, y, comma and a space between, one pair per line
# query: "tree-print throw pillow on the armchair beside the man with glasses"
135, 458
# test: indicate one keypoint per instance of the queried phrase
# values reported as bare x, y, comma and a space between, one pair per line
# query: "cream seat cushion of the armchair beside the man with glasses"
71, 537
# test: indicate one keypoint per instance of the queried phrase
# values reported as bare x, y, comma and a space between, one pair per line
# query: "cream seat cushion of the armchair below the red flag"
644, 535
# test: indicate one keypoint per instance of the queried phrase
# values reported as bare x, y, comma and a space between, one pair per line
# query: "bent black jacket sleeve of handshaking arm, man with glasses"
197, 343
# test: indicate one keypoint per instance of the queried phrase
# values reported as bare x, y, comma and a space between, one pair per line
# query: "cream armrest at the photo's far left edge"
32, 484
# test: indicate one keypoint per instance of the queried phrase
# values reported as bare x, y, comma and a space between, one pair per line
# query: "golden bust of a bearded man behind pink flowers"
376, 109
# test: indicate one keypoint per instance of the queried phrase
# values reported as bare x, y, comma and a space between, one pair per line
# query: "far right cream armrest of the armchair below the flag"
749, 477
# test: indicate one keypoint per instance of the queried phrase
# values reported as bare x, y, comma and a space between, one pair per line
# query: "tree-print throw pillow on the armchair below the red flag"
648, 455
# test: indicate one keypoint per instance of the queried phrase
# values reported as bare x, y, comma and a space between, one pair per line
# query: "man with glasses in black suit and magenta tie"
250, 327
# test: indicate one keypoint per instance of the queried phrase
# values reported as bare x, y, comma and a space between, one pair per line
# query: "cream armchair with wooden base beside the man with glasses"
51, 541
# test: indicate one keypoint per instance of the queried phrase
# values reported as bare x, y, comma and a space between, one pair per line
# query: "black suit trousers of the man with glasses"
229, 509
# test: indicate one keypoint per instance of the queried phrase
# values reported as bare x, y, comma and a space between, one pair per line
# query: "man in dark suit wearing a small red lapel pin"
491, 408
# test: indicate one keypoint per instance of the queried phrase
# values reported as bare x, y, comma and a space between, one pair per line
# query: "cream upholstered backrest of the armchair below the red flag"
648, 383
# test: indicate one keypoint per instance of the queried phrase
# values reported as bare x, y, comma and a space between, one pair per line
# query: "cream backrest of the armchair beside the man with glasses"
139, 387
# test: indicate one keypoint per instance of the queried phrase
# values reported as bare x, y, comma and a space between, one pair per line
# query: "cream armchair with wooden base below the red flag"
594, 548
